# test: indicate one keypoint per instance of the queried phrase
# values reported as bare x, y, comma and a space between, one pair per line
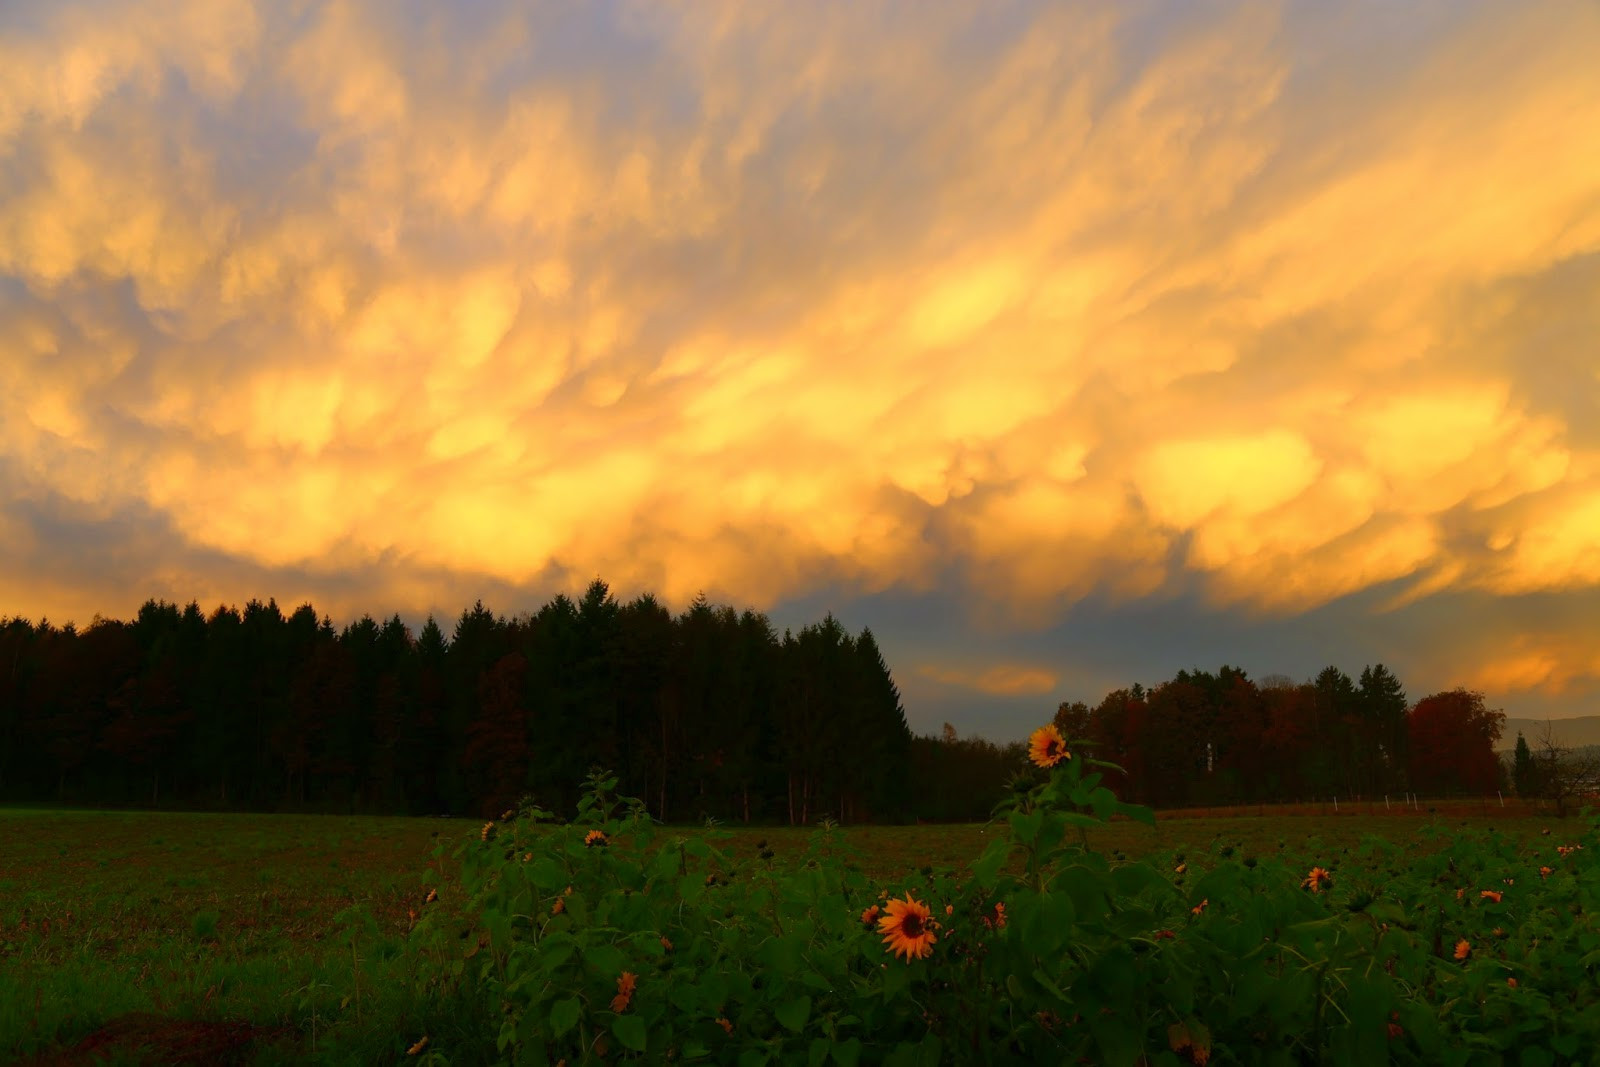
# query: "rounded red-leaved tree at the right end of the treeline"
1452, 743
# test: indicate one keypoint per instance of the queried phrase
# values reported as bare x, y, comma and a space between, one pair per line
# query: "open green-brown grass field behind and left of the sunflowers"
239, 938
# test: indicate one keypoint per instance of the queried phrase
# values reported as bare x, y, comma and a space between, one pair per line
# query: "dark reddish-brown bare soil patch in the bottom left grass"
150, 1039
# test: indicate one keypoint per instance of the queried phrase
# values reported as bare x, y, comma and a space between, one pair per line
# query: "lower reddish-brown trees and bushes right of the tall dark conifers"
1202, 740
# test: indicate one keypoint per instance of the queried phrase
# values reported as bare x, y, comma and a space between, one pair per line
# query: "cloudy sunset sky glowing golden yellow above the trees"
1062, 345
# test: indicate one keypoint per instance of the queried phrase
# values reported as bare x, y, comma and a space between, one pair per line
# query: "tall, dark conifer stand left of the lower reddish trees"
706, 714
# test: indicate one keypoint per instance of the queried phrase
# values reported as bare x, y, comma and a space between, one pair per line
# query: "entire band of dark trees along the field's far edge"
710, 714
